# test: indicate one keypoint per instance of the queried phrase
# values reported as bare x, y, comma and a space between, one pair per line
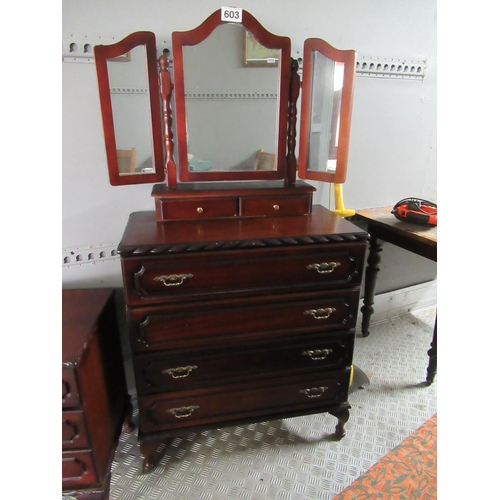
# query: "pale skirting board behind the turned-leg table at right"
399, 302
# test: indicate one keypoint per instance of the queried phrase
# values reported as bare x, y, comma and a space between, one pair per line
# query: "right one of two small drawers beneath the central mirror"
252, 206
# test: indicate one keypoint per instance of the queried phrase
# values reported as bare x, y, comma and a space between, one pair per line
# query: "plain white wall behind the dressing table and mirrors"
393, 137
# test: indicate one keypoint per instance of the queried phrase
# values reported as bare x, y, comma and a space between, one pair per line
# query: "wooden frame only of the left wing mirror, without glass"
103, 53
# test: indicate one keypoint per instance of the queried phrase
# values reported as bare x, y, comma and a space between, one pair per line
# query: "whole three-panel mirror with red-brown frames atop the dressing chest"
235, 92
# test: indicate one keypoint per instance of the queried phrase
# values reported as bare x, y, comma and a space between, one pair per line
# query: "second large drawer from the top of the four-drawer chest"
166, 327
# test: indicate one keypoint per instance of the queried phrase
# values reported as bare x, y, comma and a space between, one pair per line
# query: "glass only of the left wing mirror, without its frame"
130, 101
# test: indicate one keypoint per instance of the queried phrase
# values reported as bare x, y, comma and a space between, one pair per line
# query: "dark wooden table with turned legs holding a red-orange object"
421, 240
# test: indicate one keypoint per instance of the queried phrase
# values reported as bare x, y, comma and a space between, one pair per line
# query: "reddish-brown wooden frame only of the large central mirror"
264, 37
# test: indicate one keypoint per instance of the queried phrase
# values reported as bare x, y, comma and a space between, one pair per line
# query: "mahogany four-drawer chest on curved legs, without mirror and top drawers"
239, 320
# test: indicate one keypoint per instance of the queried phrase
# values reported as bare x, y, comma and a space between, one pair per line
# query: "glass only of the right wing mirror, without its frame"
324, 120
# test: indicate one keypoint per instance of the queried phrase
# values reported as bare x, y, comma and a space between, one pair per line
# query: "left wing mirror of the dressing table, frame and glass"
127, 78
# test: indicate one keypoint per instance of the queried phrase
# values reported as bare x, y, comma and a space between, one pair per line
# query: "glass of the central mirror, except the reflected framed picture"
231, 109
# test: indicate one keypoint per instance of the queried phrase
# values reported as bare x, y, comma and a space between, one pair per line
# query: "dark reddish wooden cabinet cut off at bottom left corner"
95, 401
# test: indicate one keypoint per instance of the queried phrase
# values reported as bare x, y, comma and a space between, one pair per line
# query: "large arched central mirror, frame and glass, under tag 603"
231, 84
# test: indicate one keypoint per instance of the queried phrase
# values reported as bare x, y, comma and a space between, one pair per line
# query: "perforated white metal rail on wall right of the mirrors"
383, 67
